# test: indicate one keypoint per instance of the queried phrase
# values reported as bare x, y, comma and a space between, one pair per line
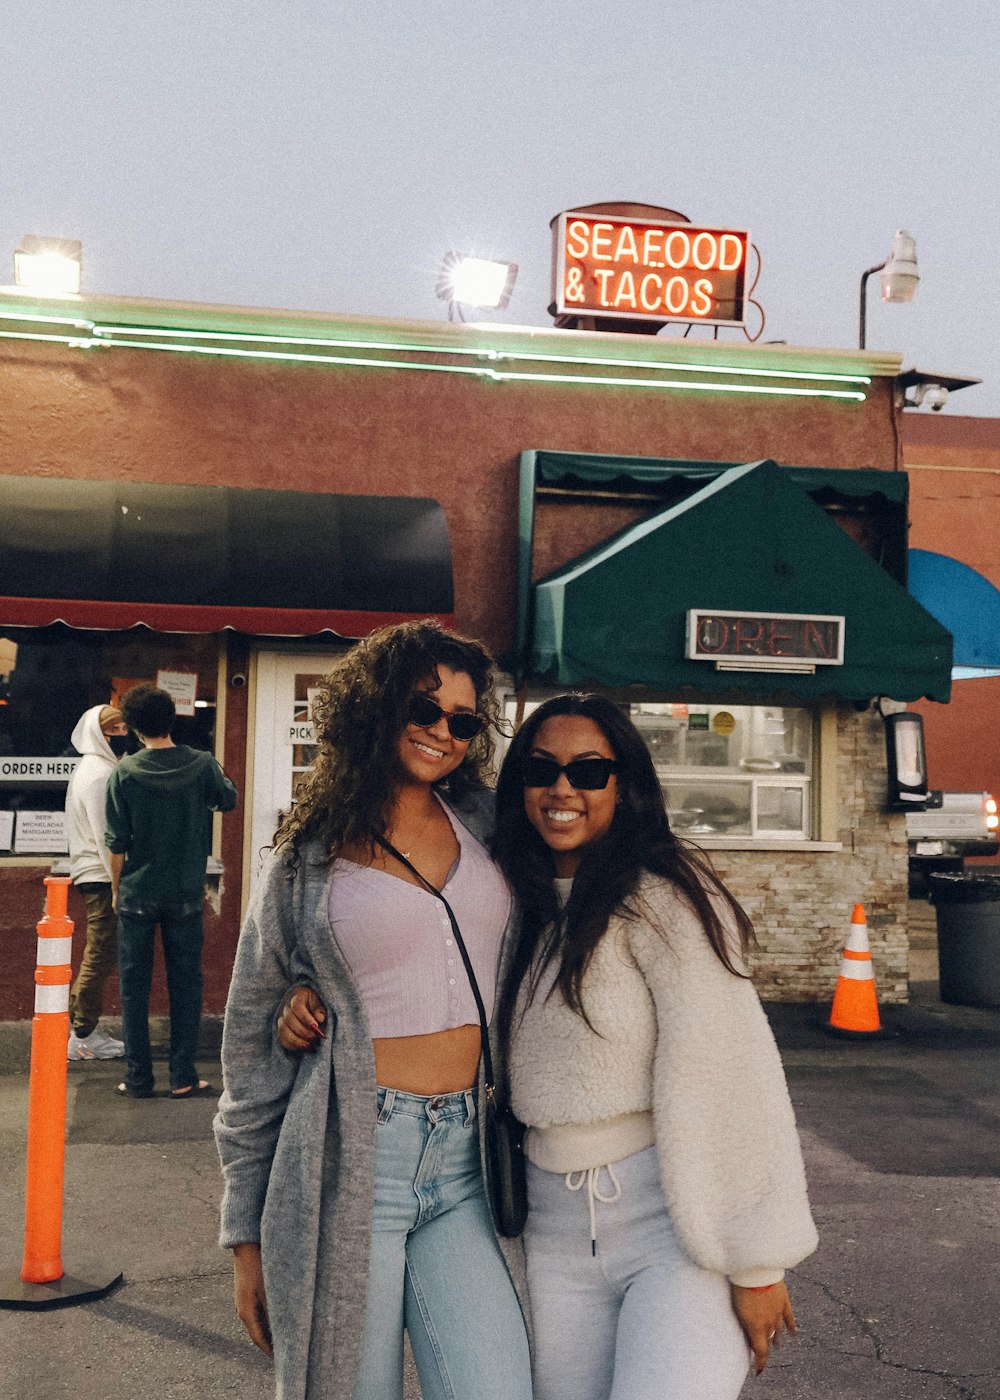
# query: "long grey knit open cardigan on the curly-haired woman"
296, 1133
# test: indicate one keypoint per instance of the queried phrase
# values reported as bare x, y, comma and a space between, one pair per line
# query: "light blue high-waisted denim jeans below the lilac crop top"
436, 1266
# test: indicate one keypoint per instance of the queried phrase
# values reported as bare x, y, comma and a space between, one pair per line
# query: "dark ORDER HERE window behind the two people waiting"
48, 678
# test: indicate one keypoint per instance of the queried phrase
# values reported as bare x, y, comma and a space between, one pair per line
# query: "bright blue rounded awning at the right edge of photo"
967, 604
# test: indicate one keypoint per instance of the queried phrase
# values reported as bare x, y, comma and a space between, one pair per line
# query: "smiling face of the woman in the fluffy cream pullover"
569, 820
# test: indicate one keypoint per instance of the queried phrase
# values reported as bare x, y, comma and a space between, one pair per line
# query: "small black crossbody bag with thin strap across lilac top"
506, 1177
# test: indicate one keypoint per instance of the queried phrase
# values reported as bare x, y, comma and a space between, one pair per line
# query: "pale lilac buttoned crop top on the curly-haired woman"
400, 946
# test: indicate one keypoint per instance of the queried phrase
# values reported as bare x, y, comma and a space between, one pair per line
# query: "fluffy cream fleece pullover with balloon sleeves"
686, 1038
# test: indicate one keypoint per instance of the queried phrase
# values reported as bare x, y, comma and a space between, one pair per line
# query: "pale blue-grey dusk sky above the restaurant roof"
320, 156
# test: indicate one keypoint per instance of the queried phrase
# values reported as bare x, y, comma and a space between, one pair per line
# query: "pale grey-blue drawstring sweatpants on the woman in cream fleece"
638, 1319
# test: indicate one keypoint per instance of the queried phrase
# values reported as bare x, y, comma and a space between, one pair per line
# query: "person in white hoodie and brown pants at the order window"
102, 738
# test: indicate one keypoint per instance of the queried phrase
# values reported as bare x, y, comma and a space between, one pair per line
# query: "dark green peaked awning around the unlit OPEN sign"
749, 541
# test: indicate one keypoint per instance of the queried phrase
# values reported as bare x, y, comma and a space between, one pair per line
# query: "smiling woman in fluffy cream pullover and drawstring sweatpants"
666, 1184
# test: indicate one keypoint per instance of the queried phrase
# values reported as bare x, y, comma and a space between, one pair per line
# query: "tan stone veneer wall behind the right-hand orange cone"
802, 902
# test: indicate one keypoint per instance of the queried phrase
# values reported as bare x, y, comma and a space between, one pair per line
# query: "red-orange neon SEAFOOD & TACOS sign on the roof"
645, 271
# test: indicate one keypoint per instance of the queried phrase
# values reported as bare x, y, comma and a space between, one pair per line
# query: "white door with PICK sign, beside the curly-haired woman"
284, 748
